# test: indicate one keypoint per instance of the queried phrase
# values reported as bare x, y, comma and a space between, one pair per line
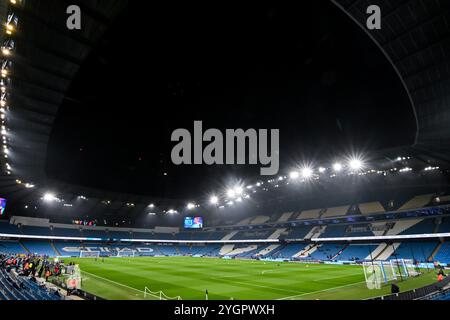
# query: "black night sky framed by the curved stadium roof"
309, 71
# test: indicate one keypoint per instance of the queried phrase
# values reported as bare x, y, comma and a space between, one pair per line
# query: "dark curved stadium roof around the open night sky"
414, 38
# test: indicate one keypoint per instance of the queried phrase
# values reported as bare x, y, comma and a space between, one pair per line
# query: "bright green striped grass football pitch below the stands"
224, 279
